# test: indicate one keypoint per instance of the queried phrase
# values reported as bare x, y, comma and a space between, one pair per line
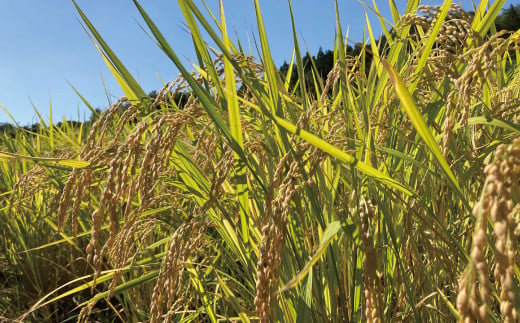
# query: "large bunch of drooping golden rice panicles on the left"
135, 161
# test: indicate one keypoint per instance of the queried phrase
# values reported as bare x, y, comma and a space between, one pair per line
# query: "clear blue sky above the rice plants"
43, 46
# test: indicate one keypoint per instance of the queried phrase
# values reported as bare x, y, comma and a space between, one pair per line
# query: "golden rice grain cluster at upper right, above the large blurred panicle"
465, 60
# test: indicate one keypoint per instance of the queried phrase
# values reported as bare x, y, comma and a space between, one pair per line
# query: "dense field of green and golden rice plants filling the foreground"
390, 193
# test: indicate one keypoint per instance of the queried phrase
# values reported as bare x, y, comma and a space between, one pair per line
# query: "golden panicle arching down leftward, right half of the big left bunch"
123, 184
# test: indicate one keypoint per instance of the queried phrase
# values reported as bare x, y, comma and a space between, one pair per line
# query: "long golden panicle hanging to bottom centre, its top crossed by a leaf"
287, 183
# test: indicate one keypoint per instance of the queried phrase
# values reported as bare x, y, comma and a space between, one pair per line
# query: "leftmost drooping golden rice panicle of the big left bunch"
97, 152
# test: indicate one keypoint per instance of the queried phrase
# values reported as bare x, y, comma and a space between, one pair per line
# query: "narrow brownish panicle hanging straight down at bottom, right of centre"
372, 296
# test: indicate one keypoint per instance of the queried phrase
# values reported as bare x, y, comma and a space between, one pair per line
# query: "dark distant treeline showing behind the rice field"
322, 63
